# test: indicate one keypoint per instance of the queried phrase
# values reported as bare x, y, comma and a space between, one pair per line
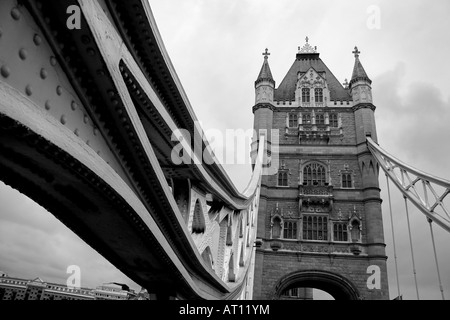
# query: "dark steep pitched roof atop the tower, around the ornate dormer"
286, 89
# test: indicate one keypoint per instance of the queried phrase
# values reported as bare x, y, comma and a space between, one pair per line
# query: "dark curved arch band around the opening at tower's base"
336, 285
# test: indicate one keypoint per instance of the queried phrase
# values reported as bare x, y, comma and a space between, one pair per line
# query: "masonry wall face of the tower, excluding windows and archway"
277, 258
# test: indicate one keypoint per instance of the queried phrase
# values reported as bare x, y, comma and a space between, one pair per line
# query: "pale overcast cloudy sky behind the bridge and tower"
216, 46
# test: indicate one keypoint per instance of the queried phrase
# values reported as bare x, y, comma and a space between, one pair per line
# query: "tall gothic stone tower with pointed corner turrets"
320, 221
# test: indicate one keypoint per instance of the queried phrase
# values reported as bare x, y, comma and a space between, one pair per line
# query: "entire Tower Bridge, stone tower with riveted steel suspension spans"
88, 113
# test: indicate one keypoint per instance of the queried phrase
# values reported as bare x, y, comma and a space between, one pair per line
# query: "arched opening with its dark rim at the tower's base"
300, 285
